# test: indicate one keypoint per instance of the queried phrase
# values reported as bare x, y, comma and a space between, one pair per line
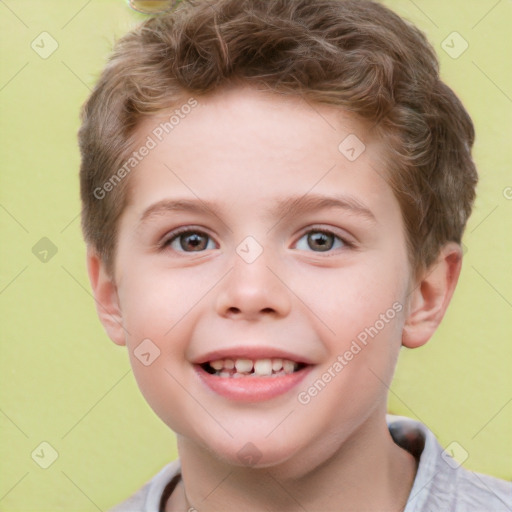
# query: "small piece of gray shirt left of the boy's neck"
147, 498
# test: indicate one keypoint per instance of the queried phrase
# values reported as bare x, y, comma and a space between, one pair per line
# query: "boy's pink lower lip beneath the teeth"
252, 389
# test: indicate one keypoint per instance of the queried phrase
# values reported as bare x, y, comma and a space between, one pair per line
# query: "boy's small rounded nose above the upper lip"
252, 291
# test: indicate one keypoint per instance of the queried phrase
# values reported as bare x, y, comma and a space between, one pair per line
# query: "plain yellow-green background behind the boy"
65, 383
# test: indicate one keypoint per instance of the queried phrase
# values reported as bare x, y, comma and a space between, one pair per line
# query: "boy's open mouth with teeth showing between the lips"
243, 368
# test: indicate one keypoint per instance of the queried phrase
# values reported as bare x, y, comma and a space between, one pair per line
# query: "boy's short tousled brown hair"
353, 54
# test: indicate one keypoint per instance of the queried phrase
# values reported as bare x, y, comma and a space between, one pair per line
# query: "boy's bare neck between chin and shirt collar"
366, 472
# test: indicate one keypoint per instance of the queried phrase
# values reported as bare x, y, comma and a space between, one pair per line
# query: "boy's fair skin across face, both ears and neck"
245, 150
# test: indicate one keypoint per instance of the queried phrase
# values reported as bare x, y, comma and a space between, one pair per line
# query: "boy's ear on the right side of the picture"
430, 298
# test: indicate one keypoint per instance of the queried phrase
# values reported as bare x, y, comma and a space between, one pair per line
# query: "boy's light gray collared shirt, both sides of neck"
441, 483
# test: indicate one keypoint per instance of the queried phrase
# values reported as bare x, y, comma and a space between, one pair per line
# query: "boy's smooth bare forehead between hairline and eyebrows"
246, 145
